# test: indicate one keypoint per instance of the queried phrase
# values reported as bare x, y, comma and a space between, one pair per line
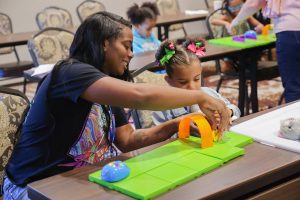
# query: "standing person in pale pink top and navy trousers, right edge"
286, 16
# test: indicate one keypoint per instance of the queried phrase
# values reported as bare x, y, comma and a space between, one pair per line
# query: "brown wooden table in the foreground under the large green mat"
262, 173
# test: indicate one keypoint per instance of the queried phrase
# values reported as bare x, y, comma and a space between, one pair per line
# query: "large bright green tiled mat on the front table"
174, 164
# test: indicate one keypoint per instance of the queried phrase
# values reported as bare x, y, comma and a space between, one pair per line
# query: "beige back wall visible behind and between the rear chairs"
22, 13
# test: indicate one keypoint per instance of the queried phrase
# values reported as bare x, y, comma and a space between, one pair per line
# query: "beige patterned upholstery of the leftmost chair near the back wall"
5, 28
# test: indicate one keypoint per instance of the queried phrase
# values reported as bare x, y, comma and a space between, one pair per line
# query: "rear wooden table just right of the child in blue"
165, 21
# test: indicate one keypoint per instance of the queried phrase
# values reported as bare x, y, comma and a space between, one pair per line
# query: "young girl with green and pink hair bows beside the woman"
184, 71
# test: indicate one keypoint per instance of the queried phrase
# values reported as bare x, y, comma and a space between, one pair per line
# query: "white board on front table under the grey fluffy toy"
265, 128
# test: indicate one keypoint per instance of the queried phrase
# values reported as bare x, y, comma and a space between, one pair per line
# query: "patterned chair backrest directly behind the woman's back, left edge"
13, 108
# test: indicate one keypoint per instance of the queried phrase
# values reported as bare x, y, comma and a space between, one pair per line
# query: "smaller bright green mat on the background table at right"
227, 41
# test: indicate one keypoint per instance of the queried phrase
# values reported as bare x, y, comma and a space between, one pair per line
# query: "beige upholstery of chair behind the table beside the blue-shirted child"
169, 7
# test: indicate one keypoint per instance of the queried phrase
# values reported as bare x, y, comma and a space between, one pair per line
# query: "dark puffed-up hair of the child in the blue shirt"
137, 15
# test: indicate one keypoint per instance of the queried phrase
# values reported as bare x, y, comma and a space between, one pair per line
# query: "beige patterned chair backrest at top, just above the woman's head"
88, 8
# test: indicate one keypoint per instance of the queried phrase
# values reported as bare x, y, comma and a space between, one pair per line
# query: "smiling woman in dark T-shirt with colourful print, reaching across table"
70, 122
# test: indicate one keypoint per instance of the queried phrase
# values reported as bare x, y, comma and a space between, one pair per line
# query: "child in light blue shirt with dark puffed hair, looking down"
143, 19
